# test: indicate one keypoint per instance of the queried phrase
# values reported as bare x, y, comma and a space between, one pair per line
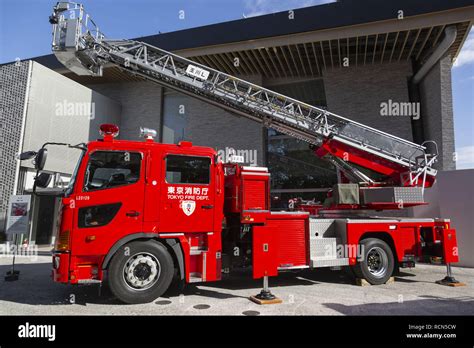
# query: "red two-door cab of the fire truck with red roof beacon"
126, 193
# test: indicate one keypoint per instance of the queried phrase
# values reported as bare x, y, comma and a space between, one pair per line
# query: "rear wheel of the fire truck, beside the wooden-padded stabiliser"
378, 263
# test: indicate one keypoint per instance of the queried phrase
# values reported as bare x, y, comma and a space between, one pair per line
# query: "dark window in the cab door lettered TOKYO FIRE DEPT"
187, 169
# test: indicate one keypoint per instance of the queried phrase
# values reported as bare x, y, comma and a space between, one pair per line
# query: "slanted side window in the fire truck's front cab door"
108, 169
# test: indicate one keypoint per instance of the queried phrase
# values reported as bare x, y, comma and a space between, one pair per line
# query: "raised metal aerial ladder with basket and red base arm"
82, 48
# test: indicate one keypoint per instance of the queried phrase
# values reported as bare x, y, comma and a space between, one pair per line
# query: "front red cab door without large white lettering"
109, 200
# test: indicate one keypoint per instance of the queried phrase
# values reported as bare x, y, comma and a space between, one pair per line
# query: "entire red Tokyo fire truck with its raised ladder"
136, 213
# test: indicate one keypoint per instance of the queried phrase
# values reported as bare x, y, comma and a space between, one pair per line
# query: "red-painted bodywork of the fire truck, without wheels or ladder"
195, 215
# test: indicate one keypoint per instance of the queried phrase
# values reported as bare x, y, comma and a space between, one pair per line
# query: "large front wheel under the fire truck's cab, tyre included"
140, 271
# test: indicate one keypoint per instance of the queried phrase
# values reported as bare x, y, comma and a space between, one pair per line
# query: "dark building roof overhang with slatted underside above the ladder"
275, 46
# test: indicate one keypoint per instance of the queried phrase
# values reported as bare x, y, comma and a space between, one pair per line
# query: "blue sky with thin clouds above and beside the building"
25, 33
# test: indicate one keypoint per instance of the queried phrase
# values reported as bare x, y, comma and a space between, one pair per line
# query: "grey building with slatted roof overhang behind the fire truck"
361, 59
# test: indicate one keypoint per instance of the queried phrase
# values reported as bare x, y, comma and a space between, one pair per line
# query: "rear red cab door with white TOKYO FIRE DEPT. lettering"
187, 194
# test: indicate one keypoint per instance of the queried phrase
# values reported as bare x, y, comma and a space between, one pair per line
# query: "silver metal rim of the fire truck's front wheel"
141, 271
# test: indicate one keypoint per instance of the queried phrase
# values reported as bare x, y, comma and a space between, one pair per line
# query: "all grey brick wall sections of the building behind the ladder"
352, 92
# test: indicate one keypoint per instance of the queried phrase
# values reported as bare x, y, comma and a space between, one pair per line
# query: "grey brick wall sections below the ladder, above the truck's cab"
206, 125
